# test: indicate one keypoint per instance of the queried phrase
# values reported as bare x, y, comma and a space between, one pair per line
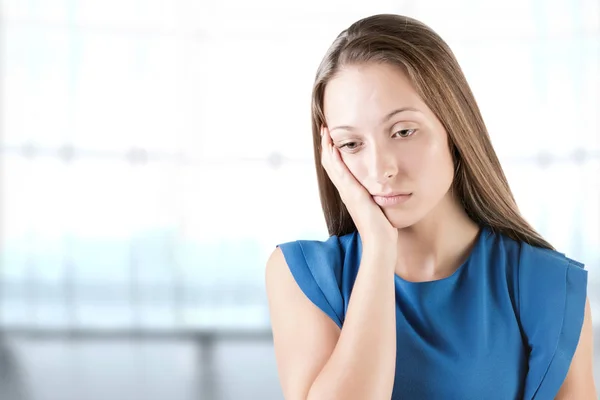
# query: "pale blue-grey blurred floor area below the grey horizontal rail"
149, 370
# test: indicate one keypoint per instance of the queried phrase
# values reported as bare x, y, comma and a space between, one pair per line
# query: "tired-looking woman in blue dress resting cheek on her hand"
432, 285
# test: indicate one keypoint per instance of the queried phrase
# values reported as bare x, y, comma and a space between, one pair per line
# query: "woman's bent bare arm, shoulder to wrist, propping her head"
316, 360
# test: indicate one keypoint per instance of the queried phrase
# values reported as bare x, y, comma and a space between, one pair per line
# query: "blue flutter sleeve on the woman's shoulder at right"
552, 291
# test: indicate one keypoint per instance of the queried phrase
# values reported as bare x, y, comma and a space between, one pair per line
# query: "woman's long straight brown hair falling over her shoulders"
479, 181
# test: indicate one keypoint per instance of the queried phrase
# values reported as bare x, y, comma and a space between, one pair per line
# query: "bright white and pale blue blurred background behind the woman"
154, 152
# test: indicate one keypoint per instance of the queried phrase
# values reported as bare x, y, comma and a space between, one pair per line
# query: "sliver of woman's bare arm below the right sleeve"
579, 383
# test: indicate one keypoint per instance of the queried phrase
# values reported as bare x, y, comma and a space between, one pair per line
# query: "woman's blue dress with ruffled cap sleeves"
504, 326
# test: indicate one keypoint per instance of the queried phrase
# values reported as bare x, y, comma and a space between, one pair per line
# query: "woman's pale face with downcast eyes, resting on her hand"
389, 139
